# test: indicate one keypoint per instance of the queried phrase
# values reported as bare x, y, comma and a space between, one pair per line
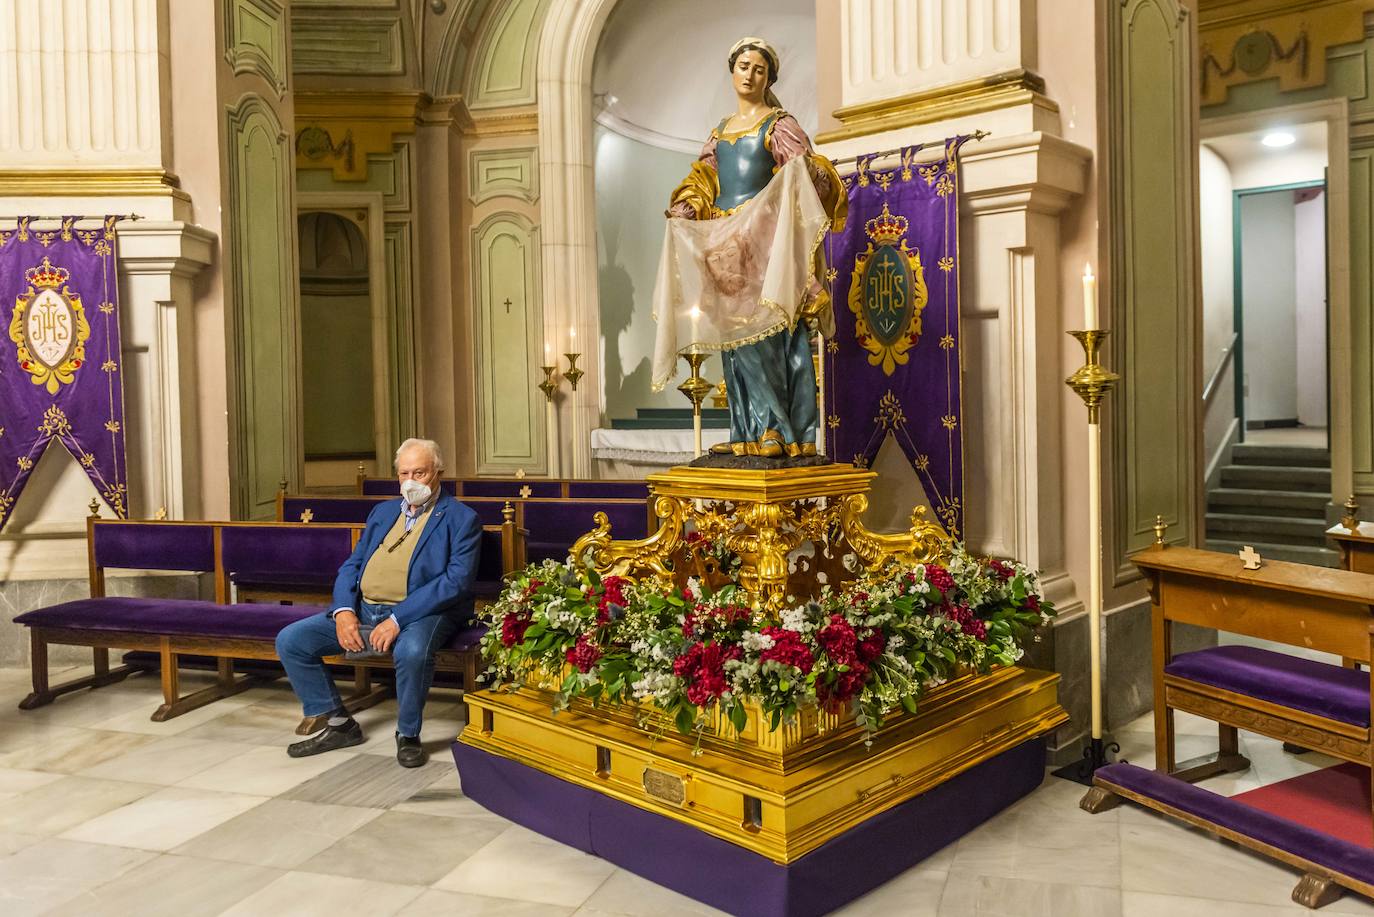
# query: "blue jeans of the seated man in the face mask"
302, 647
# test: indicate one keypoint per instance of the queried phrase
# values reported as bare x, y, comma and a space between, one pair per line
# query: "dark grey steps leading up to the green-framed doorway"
1274, 498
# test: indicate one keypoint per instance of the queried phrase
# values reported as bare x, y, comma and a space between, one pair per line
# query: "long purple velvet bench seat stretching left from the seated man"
174, 617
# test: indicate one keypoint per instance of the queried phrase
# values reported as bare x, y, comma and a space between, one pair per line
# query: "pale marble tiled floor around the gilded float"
104, 812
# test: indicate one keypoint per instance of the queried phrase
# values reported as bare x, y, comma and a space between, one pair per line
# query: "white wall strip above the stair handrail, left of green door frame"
1218, 248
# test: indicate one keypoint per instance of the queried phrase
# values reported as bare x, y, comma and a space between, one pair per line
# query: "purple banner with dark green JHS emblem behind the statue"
894, 365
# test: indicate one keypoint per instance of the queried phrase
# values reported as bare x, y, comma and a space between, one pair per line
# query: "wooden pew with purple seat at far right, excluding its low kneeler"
1313, 705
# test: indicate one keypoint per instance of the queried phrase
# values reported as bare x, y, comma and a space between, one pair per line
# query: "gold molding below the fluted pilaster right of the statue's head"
954, 101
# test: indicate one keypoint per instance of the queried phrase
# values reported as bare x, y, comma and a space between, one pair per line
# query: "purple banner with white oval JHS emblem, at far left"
60, 357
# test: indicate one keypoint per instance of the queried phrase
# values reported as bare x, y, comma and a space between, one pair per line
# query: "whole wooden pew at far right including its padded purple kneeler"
1300, 702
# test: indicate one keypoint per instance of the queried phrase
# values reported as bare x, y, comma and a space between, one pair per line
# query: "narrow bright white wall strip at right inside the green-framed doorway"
1310, 255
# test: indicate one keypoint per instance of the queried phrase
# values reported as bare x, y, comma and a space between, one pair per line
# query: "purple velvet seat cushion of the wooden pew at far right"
1289, 681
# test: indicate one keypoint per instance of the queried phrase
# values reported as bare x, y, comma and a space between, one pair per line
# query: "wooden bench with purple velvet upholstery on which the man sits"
263, 557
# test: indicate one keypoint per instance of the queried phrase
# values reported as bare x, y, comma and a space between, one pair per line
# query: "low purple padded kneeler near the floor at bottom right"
1333, 853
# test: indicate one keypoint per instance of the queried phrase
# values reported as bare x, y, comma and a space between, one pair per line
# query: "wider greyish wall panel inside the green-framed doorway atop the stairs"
1268, 296
